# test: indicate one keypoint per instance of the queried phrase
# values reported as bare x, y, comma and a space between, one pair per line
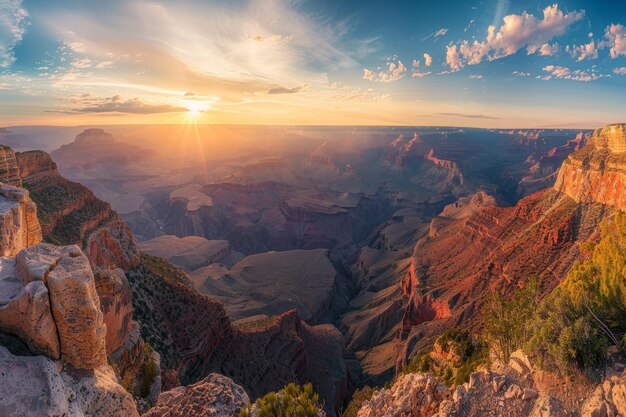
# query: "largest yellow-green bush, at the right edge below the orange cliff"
587, 312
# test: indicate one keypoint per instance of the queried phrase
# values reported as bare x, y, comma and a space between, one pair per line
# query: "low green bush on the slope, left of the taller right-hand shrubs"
455, 356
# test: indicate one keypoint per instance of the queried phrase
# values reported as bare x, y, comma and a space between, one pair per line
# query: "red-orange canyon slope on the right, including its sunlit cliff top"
467, 256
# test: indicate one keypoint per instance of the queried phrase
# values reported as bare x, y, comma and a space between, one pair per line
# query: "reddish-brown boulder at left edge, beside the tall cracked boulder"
25, 311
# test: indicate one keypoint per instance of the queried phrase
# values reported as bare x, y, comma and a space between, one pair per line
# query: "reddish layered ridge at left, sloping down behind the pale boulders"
68, 212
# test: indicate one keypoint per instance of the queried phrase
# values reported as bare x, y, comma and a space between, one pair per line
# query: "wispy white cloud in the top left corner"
13, 21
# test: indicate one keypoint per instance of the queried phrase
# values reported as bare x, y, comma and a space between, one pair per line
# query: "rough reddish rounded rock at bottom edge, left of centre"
213, 396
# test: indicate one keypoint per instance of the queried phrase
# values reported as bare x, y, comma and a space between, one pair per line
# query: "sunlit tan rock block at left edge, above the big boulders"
19, 227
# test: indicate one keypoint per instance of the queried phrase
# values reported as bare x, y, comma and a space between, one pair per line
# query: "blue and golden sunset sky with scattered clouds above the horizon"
482, 63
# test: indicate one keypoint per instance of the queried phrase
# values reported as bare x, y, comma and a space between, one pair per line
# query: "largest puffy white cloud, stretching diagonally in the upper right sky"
517, 32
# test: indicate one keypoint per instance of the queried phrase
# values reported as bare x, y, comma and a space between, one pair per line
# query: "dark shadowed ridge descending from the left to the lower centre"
195, 337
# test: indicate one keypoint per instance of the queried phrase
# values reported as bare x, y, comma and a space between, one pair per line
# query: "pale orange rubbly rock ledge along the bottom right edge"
512, 390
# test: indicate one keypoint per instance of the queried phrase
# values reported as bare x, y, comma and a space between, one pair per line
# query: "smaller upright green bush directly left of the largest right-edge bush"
507, 322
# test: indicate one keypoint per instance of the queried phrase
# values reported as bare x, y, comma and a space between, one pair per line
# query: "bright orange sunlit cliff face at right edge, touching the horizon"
597, 173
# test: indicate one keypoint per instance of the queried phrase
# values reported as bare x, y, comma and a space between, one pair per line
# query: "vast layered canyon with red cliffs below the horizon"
318, 264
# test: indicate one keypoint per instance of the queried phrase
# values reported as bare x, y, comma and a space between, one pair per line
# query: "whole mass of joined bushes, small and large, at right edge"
573, 326
